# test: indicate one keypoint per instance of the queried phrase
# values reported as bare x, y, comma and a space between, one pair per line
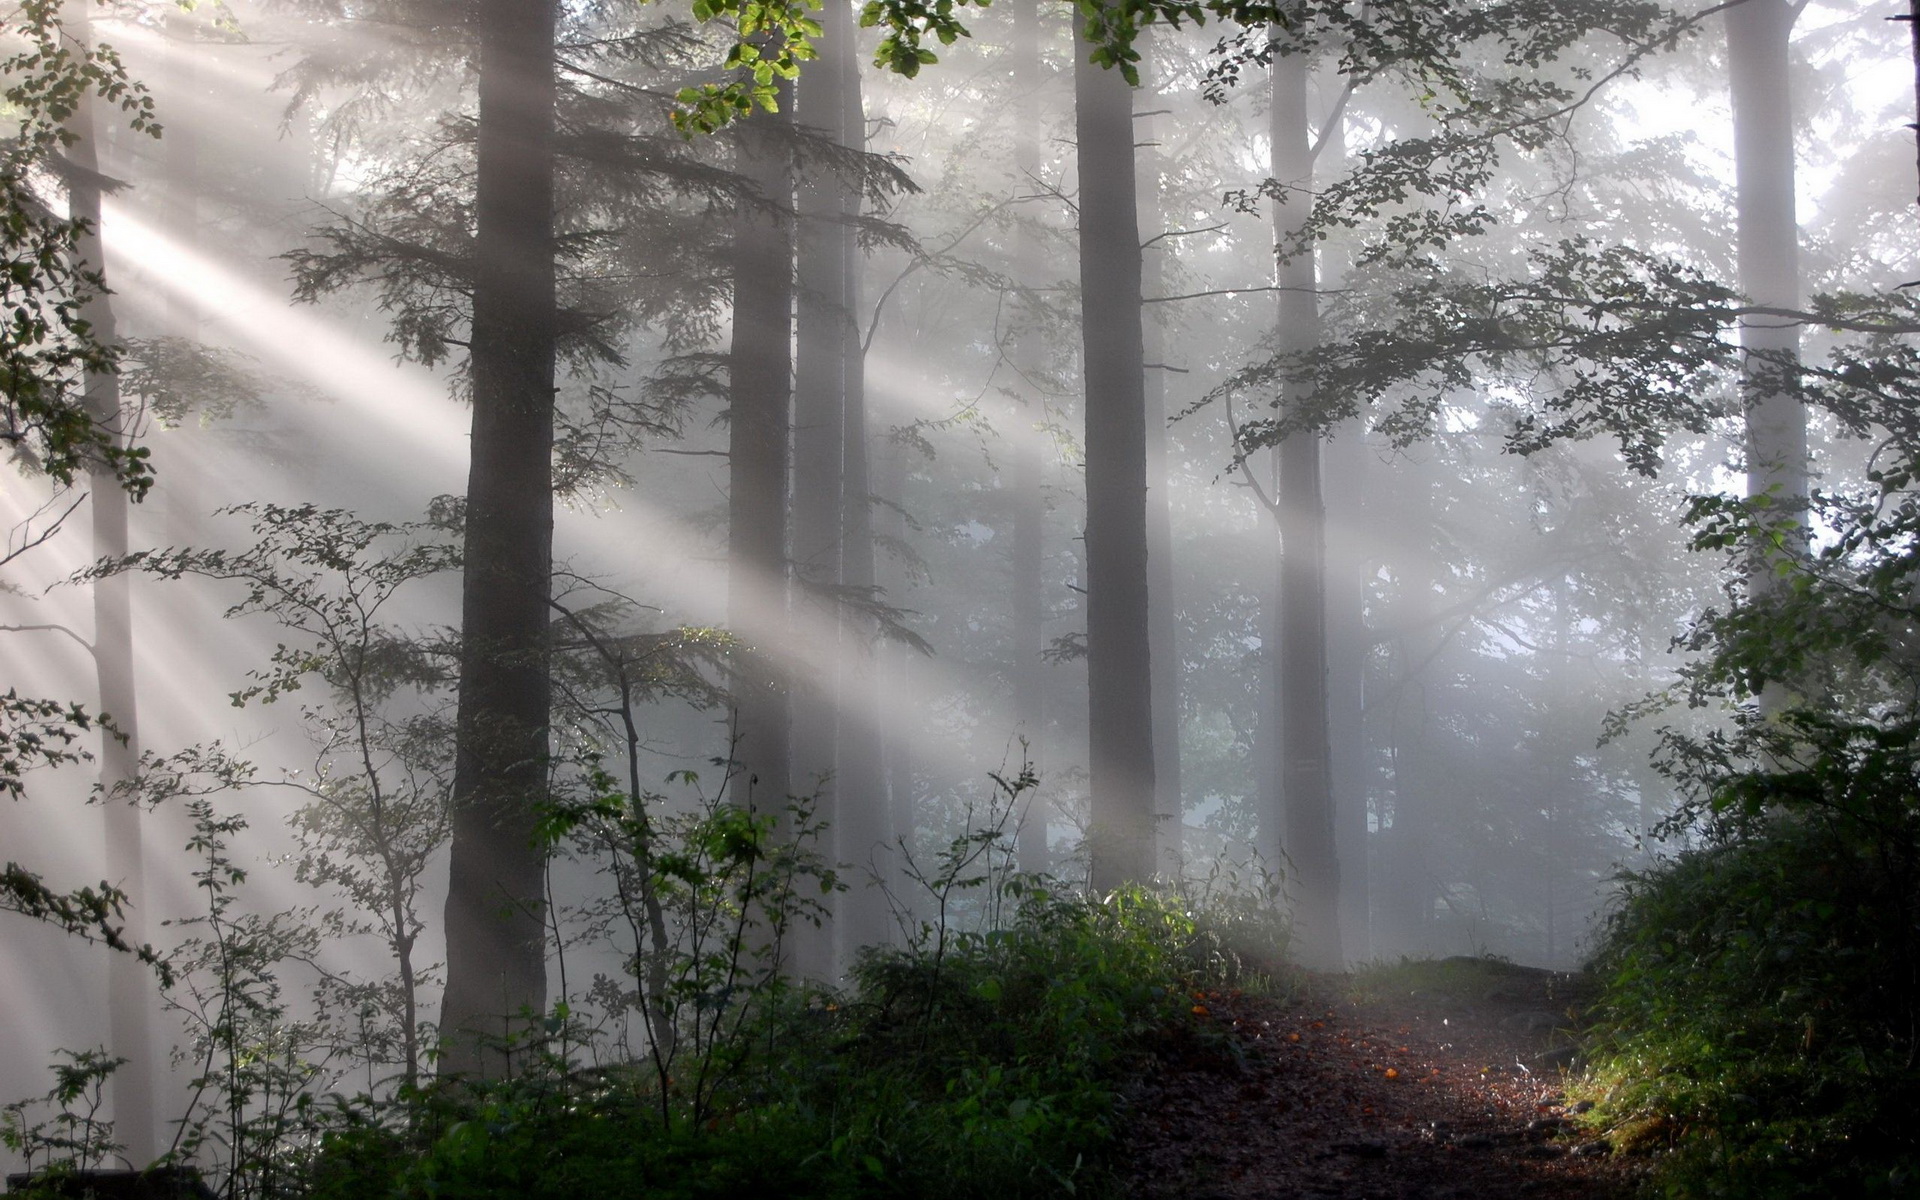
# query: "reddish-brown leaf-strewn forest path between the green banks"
1389, 1093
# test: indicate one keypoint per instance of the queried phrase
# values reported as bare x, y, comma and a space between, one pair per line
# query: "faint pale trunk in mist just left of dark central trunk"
1026, 414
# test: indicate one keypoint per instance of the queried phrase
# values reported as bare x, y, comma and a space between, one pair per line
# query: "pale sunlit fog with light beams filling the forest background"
1497, 573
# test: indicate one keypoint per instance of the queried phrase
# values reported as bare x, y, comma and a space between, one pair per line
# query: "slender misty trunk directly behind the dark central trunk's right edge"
1163, 617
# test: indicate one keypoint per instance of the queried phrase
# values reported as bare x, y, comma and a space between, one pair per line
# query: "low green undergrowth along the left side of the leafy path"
990, 1070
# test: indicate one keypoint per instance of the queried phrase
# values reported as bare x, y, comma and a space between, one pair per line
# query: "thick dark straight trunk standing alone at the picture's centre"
1120, 713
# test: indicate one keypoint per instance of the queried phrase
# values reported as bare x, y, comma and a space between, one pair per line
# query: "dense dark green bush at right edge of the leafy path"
1762, 1007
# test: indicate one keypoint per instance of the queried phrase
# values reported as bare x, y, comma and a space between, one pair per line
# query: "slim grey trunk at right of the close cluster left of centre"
867, 819
